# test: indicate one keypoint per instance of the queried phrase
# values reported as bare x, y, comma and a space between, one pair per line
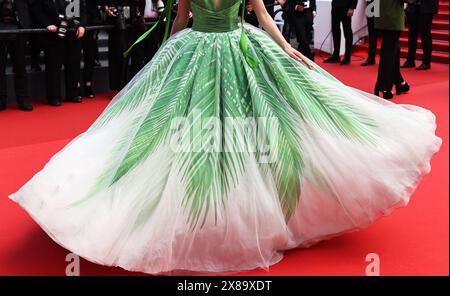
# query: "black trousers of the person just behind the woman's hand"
302, 24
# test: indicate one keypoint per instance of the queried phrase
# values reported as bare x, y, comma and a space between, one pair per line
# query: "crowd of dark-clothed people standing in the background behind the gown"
70, 40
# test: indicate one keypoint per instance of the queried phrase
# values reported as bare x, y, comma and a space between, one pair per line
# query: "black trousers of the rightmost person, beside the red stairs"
419, 22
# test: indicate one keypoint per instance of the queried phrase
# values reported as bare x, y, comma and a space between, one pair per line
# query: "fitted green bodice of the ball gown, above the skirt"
211, 18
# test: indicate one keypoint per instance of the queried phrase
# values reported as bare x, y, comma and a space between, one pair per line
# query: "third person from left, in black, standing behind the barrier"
90, 46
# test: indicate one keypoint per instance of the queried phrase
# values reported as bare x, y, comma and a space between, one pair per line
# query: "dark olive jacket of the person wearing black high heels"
392, 16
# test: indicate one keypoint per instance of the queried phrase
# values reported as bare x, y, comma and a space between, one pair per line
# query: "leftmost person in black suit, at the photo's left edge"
14, 15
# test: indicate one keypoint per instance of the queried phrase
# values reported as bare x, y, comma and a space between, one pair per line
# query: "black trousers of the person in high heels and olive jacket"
389, 69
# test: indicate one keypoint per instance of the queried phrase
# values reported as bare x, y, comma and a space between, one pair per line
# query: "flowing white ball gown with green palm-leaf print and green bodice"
162, 183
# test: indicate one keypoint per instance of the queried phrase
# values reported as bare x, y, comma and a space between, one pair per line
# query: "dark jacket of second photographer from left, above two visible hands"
45, 12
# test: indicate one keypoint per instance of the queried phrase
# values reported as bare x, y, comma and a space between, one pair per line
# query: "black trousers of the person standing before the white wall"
338, 16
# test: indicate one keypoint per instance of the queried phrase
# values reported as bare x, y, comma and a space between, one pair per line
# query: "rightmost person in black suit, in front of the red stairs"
419, 15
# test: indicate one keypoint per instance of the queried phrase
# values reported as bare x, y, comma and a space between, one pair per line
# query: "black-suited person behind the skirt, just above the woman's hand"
301, 15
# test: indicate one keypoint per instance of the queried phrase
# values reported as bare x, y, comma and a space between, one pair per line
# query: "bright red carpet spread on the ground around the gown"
412, 241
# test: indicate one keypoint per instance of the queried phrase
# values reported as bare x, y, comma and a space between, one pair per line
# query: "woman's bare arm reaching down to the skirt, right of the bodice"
271, 28
